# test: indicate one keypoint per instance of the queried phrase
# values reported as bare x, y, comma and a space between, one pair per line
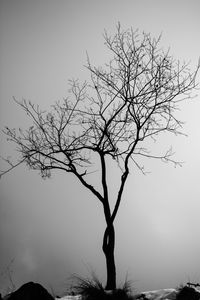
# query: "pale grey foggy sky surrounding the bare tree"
51, 229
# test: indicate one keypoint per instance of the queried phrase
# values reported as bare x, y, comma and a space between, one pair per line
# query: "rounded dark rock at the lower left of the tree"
31, 291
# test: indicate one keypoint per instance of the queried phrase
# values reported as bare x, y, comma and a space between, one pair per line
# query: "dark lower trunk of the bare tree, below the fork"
108, 249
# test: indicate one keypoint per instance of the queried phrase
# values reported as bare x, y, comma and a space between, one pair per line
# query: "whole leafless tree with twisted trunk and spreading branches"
130, 100
